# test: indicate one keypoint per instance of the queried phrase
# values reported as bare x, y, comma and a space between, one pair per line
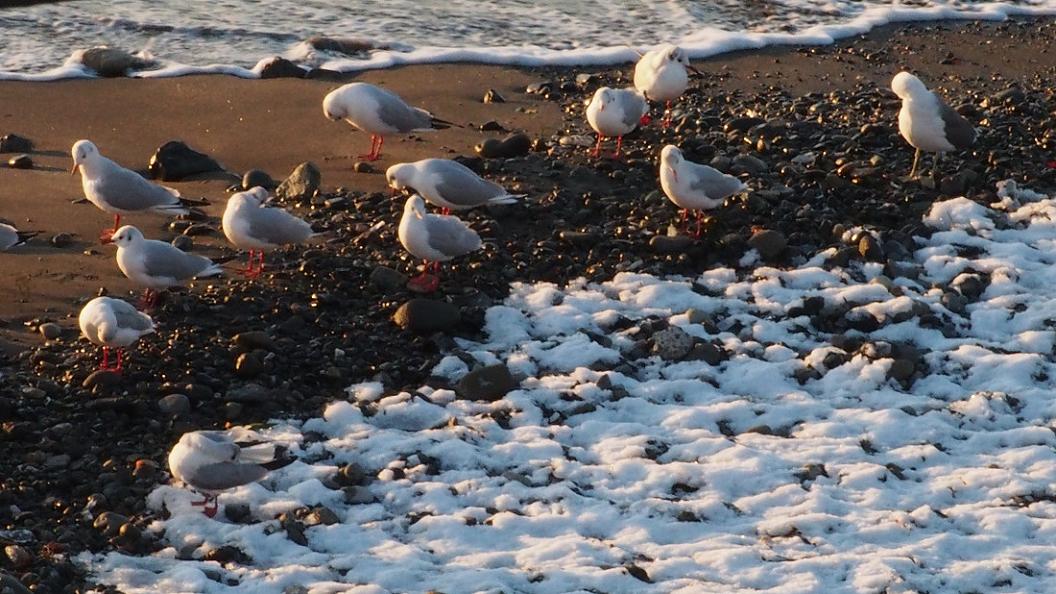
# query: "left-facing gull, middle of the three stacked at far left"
158, 266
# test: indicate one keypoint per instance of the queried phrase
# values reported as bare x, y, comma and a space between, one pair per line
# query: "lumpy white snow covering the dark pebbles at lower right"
610, 470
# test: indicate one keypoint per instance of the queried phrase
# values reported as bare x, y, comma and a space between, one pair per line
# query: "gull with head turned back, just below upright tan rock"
250, 226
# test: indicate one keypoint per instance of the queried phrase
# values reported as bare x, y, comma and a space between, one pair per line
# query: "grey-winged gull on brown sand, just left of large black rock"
119, 191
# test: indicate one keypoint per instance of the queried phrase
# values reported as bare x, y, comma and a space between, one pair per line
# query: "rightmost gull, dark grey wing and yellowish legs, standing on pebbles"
928, 123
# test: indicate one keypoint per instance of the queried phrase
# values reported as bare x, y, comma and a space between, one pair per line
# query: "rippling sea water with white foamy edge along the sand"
234, 36
